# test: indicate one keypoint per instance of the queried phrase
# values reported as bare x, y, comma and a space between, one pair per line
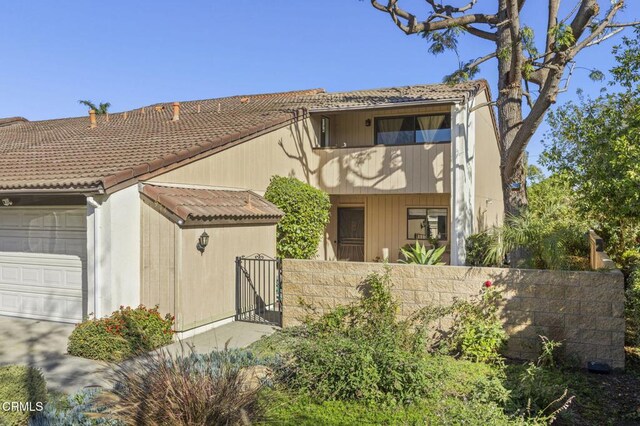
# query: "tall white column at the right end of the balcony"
462, 179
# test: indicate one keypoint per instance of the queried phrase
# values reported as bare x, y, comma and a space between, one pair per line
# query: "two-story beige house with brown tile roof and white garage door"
109, 210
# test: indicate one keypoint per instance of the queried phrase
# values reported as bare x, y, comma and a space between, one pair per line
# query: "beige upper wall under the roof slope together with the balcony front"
289, 152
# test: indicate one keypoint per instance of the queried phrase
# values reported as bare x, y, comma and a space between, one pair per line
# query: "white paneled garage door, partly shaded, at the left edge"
42, 256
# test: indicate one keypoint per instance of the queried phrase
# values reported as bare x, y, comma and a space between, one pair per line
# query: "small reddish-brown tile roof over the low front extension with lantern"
202, 205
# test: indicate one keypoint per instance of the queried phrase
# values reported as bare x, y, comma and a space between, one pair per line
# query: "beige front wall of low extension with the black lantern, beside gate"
207, 282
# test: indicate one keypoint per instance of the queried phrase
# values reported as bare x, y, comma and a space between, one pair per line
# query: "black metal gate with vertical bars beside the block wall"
258, 289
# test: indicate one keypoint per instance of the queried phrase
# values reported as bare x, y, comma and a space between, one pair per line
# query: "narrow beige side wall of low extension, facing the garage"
158, 260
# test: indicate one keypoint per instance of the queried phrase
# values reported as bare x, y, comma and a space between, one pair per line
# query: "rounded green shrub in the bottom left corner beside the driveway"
24, 385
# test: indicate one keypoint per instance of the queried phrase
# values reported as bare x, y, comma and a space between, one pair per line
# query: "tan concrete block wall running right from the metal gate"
583, 310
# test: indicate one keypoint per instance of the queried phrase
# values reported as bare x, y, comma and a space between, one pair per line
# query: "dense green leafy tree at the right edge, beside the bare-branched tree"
595, 143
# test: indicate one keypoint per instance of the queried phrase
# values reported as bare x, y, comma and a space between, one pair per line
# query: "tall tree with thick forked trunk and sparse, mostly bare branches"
522, 61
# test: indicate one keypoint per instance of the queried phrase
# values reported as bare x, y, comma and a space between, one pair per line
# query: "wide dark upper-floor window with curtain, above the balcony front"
407, 130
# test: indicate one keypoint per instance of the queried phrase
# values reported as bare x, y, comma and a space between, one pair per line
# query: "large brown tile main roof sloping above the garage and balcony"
67, 154
